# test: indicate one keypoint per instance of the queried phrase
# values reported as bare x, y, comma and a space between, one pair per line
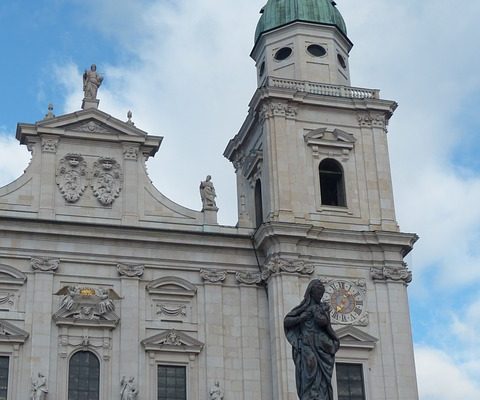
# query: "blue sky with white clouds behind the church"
182, 67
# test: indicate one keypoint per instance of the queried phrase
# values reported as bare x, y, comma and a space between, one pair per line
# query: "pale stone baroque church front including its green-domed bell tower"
109, 290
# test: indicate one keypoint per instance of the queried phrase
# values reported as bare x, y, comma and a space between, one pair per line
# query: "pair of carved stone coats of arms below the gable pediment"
73, 177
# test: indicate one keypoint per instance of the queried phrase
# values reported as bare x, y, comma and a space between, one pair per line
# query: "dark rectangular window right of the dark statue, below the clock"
350, 385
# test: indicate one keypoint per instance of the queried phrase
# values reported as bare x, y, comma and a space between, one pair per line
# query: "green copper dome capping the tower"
277, 13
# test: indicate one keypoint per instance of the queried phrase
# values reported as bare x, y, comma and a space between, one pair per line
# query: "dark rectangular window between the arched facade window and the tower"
171, 383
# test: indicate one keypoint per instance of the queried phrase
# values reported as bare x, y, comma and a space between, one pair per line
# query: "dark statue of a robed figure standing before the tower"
314, 344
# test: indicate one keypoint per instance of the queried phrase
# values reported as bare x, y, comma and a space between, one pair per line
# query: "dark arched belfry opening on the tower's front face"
332, 185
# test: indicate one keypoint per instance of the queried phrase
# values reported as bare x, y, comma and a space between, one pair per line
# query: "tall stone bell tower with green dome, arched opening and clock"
314, 183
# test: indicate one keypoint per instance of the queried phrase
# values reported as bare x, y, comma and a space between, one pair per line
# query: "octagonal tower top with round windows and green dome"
302, 40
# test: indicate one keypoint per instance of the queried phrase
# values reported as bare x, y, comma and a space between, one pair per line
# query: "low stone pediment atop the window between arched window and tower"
173, 341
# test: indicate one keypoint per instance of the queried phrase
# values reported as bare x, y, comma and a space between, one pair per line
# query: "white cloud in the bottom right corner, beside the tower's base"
441, 378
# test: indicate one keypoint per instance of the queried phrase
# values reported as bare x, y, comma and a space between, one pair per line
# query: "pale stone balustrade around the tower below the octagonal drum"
323, 89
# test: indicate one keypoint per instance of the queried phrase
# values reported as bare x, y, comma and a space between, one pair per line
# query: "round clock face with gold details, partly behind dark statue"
346, 300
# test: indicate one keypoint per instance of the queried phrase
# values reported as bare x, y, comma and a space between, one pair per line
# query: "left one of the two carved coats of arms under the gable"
71, 177
